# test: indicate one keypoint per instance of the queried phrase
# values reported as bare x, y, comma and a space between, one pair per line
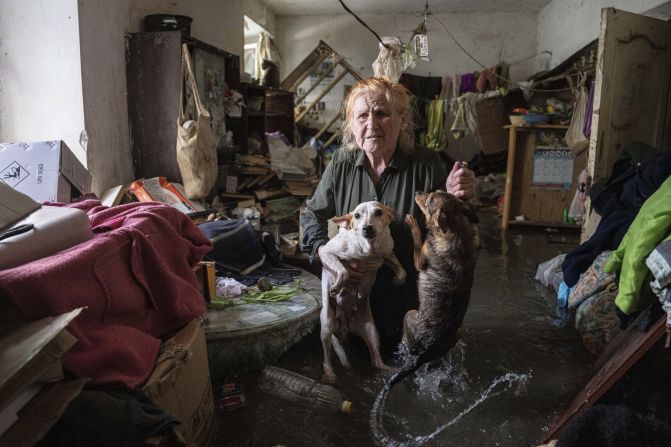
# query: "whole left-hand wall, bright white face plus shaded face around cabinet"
49, 89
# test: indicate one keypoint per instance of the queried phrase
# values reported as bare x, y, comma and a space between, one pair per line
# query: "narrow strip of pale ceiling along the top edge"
310, 7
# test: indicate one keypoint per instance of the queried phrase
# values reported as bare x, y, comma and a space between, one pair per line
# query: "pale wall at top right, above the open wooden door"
565, 26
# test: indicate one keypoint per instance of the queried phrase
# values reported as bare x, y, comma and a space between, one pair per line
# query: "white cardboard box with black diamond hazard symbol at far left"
46, 171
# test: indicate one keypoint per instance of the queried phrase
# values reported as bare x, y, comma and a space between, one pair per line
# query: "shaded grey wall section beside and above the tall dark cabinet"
103, 25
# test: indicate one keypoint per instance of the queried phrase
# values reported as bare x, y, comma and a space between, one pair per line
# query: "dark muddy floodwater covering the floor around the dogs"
513, 332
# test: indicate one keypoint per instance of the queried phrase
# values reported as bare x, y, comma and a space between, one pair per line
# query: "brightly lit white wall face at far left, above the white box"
40, 72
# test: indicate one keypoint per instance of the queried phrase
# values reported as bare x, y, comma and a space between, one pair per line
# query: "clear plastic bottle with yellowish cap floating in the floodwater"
294, 387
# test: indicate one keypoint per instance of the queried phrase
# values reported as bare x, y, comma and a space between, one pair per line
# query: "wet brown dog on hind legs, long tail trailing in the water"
446, 264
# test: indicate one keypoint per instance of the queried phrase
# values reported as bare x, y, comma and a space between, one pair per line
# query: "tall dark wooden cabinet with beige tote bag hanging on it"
154, 83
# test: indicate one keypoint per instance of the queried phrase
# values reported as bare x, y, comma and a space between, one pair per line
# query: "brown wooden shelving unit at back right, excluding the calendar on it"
540, 206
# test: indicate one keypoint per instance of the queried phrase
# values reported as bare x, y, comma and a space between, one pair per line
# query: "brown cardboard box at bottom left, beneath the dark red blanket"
180, 384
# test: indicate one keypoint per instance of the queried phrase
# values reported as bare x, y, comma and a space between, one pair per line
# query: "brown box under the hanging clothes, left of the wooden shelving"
491, 115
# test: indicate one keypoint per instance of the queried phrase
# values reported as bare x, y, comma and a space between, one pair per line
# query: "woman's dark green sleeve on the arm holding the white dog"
319, 208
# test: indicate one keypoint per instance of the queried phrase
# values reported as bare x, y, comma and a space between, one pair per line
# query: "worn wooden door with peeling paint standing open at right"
631, 96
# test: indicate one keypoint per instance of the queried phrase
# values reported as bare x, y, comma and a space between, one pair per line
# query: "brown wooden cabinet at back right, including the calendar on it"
538, 185
